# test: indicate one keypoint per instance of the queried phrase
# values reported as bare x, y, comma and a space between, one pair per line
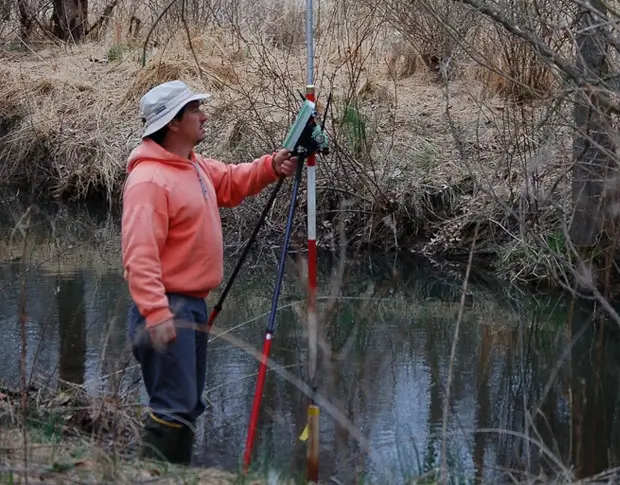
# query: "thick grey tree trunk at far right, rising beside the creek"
592, 144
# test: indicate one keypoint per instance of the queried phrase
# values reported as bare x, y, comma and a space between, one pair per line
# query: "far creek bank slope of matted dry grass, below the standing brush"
418, 165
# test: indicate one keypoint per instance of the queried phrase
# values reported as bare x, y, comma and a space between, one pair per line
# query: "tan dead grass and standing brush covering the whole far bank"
430, 134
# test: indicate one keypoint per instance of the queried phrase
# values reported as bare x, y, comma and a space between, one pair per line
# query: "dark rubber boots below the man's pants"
163, 441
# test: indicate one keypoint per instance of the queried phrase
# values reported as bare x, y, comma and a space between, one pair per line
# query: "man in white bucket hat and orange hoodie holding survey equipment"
173, 256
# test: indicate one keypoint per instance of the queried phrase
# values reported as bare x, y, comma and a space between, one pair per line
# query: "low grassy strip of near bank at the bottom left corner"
65, 444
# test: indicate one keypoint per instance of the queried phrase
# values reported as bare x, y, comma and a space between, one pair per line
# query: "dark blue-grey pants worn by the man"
175, 378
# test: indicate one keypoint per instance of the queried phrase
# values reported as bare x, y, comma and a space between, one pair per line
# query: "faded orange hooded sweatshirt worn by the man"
171, 228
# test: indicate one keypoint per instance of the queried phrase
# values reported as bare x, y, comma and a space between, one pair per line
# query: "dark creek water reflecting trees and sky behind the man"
534, 381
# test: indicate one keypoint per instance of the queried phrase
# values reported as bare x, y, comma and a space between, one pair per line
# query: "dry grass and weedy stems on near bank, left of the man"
57, 431
